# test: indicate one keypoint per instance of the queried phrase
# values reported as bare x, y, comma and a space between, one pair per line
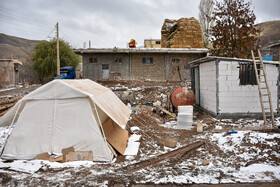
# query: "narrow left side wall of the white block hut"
208, 86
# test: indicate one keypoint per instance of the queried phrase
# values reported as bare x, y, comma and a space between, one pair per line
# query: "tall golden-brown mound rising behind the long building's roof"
182, 33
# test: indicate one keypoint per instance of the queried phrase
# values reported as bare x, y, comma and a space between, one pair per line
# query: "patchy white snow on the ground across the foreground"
245, 157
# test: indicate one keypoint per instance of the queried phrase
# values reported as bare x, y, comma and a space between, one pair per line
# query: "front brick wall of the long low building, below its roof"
162, 68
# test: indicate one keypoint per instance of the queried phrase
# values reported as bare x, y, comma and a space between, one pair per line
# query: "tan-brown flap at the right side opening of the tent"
116, 136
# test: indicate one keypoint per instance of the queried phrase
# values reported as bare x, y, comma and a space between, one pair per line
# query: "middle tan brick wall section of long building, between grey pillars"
155, 71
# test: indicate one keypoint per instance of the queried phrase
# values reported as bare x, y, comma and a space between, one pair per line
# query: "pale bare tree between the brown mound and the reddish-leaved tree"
205, 18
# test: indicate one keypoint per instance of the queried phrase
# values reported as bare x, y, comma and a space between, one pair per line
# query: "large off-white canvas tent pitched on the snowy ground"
61, 114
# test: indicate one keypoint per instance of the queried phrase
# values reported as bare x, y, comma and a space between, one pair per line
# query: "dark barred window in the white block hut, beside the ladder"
247, 74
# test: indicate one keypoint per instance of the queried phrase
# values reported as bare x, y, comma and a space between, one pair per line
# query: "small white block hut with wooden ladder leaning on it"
228, 87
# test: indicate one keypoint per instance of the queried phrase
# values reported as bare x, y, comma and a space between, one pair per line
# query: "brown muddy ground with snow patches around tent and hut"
158, 136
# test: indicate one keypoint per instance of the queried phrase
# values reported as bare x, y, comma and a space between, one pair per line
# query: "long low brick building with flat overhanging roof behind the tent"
138, 63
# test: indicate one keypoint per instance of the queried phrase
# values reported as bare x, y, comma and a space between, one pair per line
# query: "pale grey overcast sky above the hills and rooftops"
107, 23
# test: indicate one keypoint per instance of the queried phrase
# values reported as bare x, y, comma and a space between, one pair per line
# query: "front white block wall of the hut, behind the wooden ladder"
235, 98
